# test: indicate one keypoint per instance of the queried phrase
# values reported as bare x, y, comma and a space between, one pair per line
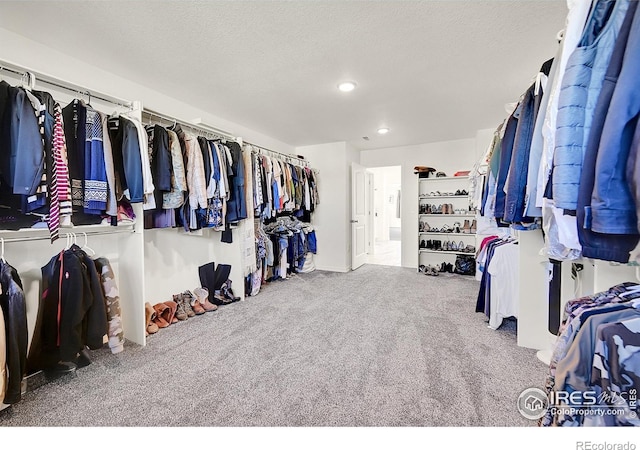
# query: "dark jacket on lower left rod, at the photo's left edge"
12, 303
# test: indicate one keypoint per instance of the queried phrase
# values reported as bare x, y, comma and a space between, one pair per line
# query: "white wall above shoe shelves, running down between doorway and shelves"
449, 157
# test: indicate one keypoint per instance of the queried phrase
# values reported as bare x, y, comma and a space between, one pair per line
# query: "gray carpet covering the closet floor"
380, 346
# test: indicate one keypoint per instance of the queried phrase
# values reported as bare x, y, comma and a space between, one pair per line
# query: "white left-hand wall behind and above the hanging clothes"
170, 260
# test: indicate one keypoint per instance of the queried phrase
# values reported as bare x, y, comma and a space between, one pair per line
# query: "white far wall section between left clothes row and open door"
331, 218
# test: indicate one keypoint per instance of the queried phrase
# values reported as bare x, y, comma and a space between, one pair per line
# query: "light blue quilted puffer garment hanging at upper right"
581, 85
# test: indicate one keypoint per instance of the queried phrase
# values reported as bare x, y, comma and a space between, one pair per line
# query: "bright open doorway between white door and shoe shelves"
386, 223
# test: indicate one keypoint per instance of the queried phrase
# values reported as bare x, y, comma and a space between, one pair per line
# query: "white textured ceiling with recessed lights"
429, 70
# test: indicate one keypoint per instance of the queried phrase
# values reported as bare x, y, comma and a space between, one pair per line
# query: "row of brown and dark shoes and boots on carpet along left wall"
185, 305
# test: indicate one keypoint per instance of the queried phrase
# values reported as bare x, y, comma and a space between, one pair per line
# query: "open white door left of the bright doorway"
359, 217
